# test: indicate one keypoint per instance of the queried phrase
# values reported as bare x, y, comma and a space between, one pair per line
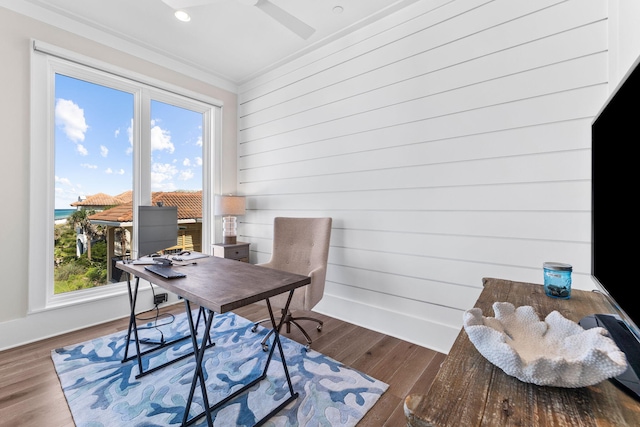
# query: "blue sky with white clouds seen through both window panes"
93, 146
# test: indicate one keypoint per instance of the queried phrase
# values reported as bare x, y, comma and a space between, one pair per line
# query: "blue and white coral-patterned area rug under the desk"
102, 391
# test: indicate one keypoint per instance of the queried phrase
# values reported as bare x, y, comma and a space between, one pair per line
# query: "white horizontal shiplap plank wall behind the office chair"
449, 141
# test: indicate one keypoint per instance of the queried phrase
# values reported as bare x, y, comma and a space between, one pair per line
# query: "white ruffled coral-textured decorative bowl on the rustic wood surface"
555, 352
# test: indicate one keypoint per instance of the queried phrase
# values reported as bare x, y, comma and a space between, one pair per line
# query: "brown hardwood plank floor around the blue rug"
30, 393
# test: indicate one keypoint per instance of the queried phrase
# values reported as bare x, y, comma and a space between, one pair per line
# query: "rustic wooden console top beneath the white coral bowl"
470, 391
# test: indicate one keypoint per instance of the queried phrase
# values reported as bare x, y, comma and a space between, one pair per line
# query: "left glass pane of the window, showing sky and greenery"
93, 170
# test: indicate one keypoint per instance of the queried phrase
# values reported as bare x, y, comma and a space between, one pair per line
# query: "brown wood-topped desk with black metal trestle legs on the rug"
219, 285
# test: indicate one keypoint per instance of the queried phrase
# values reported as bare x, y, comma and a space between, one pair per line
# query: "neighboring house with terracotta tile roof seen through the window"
118, 221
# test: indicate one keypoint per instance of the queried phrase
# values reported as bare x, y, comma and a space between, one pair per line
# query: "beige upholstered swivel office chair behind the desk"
300, 246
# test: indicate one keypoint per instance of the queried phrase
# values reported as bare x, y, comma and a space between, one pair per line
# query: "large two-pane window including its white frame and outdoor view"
105, 141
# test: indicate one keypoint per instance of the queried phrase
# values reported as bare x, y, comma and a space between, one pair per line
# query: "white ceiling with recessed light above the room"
231, 39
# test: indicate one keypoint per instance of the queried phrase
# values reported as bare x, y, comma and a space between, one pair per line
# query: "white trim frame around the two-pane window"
46, 60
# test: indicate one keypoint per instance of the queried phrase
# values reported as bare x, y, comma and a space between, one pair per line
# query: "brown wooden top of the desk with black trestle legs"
221, 284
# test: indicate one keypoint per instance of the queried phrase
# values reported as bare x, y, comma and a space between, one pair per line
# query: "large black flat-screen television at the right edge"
614, 130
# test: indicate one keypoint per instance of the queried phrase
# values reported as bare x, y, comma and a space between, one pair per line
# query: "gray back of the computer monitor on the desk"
157, 229
